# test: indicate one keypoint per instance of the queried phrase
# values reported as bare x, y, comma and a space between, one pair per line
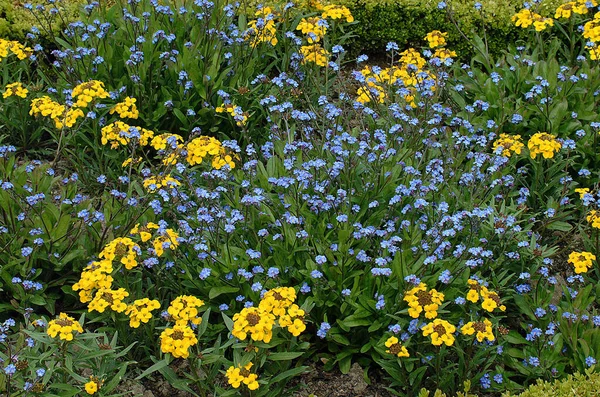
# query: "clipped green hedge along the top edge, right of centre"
406, 22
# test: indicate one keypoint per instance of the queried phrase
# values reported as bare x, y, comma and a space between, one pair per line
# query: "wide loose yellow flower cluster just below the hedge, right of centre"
409, 70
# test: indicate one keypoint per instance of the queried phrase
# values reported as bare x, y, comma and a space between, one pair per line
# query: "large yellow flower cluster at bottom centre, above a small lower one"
276, 305
